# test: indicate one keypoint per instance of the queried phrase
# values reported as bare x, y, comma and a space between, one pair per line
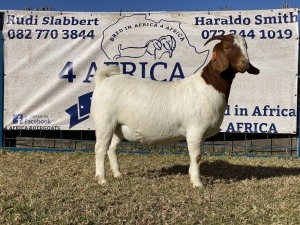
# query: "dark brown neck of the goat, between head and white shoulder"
221, 81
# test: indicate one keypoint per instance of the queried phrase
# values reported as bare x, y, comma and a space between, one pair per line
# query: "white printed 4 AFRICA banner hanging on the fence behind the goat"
51, 58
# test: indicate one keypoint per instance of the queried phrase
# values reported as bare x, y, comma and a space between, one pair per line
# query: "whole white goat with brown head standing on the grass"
191, 109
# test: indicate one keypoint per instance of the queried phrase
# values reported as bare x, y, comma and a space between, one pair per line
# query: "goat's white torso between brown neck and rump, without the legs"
152, 112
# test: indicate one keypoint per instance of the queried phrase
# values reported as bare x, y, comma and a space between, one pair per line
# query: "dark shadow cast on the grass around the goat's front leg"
223, 170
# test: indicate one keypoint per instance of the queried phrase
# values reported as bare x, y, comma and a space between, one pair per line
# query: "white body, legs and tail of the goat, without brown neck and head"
154, 112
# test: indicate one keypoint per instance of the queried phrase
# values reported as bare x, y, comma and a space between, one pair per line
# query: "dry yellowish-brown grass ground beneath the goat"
58, 188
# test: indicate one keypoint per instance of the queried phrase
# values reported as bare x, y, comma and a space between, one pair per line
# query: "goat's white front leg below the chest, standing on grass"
194, 147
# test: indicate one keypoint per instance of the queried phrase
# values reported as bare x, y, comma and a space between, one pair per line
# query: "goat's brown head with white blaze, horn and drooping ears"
232, 50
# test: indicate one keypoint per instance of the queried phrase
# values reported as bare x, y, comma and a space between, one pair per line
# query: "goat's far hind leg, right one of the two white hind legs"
112, 155
